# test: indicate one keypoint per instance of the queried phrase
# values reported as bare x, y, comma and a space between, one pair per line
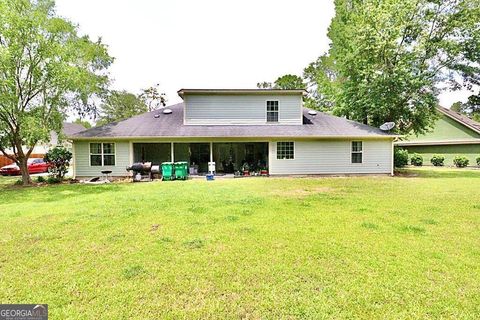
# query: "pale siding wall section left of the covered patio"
82, 166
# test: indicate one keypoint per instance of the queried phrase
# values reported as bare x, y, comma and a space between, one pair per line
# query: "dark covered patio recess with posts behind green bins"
229, 157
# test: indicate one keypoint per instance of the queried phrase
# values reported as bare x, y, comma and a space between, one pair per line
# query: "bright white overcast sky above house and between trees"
206, 44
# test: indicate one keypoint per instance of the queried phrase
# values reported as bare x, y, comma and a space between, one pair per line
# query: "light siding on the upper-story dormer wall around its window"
241, 109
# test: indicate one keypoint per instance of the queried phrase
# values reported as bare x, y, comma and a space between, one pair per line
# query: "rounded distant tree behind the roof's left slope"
120, 105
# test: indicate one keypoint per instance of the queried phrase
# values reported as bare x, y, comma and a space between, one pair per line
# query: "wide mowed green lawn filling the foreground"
333, 248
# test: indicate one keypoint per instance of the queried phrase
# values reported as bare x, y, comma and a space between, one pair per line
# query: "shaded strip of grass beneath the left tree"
51, 193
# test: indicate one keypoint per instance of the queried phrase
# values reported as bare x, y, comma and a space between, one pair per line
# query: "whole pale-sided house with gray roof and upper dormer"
266, 129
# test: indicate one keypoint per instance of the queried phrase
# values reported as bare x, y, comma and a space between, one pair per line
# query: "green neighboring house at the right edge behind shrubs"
453, 134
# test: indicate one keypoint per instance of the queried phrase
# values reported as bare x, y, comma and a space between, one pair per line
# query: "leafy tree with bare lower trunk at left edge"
45, 68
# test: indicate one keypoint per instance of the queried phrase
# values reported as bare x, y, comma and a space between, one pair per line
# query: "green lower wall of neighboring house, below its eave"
471, 151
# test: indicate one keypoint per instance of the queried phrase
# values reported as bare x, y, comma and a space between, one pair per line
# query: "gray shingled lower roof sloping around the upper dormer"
171, 125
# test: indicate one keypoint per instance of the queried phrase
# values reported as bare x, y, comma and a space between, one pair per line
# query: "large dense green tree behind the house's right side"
389, 59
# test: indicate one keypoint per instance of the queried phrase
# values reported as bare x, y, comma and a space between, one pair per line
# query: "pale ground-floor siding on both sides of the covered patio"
311, 157
